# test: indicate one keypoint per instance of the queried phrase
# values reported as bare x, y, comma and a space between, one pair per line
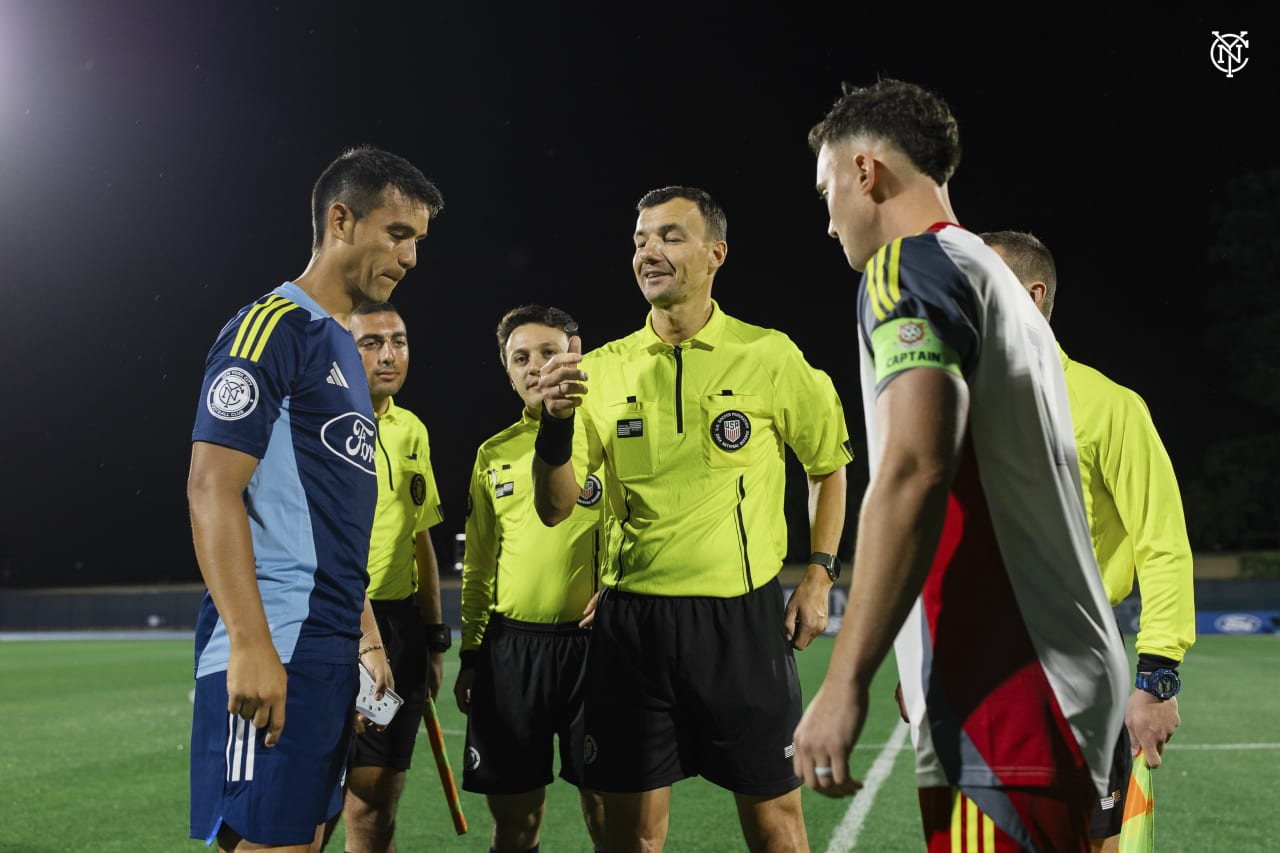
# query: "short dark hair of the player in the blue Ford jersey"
359, 177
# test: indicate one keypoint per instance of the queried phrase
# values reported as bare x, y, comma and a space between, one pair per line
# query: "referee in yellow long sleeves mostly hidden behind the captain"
1139, 528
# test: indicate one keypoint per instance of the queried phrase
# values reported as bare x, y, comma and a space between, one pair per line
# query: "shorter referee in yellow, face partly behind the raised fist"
525, 589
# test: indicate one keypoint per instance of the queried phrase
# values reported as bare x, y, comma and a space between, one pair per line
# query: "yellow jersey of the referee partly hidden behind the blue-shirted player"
408, 504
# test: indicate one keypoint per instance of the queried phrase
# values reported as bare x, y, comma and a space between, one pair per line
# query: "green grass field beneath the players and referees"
95, 759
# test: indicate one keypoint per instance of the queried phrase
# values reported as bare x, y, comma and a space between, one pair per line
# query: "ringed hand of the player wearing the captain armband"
826, 738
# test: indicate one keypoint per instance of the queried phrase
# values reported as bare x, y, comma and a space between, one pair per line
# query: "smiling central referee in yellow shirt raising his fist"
691, 669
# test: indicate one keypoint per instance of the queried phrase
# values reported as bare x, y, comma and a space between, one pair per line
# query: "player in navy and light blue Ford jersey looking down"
282, 495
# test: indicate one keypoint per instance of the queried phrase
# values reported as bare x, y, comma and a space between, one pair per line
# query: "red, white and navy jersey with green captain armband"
1012, 663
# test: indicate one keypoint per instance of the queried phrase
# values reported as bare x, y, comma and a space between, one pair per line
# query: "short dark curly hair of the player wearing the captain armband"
913, 120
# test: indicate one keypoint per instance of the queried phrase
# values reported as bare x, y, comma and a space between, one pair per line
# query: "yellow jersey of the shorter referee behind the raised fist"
514, 564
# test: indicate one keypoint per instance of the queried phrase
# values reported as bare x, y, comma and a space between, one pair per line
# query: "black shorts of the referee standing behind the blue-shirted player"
405, 641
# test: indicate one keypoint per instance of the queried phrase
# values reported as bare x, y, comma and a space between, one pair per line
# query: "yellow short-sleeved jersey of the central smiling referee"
692, 439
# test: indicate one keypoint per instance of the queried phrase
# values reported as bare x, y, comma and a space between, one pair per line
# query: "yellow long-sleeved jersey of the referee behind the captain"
1135, 509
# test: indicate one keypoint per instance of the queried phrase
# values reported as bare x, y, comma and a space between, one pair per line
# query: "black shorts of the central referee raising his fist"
689, 686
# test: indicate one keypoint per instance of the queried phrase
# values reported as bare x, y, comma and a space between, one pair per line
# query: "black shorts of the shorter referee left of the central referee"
528, 694
